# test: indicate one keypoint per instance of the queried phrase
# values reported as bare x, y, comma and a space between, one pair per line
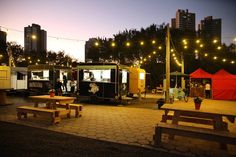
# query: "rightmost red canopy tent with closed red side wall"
224, 85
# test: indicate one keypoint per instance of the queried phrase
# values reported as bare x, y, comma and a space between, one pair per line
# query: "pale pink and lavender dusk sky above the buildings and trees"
84, 19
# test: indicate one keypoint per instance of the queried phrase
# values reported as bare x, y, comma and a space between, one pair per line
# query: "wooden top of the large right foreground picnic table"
219, 109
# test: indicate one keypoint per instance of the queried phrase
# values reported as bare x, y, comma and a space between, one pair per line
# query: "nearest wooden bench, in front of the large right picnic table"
223, 137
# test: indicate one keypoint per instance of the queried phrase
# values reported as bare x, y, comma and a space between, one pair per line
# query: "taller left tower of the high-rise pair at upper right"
184, 20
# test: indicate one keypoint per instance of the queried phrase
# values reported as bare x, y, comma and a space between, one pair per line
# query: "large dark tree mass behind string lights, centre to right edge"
155, 65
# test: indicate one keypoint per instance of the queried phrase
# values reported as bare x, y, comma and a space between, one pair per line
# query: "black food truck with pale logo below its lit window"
106, 81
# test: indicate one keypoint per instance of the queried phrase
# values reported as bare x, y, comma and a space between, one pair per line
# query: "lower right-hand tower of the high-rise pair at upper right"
210, 29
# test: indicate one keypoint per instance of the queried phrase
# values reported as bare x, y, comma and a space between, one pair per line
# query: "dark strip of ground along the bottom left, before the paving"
17, 140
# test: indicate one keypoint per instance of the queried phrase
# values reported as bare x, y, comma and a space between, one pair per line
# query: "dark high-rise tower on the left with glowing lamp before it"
35, 39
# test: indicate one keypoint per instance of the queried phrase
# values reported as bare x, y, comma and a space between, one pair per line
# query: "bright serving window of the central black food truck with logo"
97, 75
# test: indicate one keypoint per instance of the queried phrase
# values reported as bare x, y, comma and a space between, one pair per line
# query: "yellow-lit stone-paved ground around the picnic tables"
131, 124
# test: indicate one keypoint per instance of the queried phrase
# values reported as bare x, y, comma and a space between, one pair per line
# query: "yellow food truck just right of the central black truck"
137, 78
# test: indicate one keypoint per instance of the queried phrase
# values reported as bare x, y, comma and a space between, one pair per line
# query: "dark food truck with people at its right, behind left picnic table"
42, 78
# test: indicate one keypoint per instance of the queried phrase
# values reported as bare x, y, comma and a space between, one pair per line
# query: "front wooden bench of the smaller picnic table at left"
53, 115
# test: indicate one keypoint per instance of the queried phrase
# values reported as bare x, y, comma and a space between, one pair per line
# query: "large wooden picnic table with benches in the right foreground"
211, 115
